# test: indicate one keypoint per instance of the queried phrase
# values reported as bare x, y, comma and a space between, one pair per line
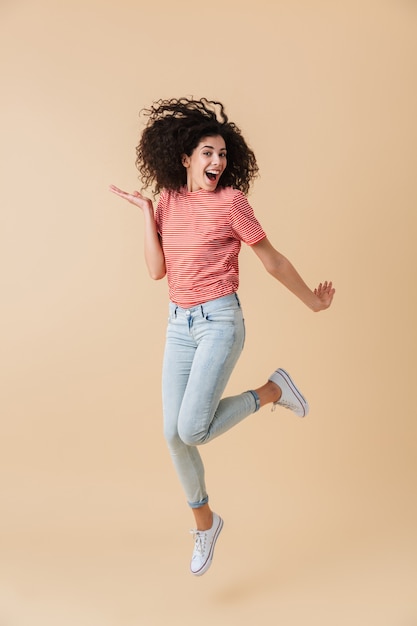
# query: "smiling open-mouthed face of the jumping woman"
206, 164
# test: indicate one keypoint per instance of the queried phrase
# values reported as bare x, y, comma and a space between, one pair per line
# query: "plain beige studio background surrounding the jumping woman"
93, 524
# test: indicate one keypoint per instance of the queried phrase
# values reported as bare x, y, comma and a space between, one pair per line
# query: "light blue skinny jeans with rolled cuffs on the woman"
203, 344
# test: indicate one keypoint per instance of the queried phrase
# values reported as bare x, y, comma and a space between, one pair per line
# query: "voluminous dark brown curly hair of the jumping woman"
174, 128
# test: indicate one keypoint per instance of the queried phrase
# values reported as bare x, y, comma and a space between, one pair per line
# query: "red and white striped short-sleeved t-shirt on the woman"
201, 234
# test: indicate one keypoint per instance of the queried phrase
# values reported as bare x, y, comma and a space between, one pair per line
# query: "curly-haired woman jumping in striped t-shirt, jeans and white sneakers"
199, 163
